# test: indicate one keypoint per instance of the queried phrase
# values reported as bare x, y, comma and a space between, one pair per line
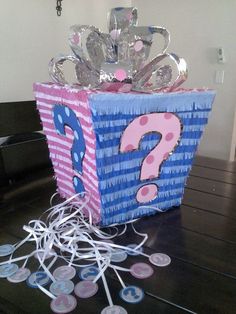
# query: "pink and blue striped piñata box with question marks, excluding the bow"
130, 152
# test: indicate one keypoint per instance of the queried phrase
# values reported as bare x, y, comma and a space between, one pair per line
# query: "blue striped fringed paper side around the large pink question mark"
118, 173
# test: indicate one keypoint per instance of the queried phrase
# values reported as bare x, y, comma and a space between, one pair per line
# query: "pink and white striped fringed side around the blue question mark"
47, 95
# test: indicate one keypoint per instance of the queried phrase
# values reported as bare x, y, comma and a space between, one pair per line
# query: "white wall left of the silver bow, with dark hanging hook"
31, 34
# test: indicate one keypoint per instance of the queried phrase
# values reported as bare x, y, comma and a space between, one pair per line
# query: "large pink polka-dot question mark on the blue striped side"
168, 126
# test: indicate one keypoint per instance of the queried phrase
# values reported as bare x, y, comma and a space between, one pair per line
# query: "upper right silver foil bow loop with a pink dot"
135, 44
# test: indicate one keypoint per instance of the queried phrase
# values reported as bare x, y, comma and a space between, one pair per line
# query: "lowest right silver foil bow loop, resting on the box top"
163, 73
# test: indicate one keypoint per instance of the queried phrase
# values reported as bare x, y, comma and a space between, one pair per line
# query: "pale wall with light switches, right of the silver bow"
197, 28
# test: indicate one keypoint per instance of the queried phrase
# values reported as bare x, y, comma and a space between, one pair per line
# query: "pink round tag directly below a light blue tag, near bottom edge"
63, 304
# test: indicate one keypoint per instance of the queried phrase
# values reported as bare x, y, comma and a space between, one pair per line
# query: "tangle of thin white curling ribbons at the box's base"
71, 234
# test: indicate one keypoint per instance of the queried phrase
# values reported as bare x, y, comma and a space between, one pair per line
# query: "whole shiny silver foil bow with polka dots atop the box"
120, 57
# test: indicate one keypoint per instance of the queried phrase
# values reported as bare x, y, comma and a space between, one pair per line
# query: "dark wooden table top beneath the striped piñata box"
200, 238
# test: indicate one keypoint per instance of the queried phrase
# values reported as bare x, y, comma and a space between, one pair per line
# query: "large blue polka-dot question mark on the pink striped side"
63, 116
